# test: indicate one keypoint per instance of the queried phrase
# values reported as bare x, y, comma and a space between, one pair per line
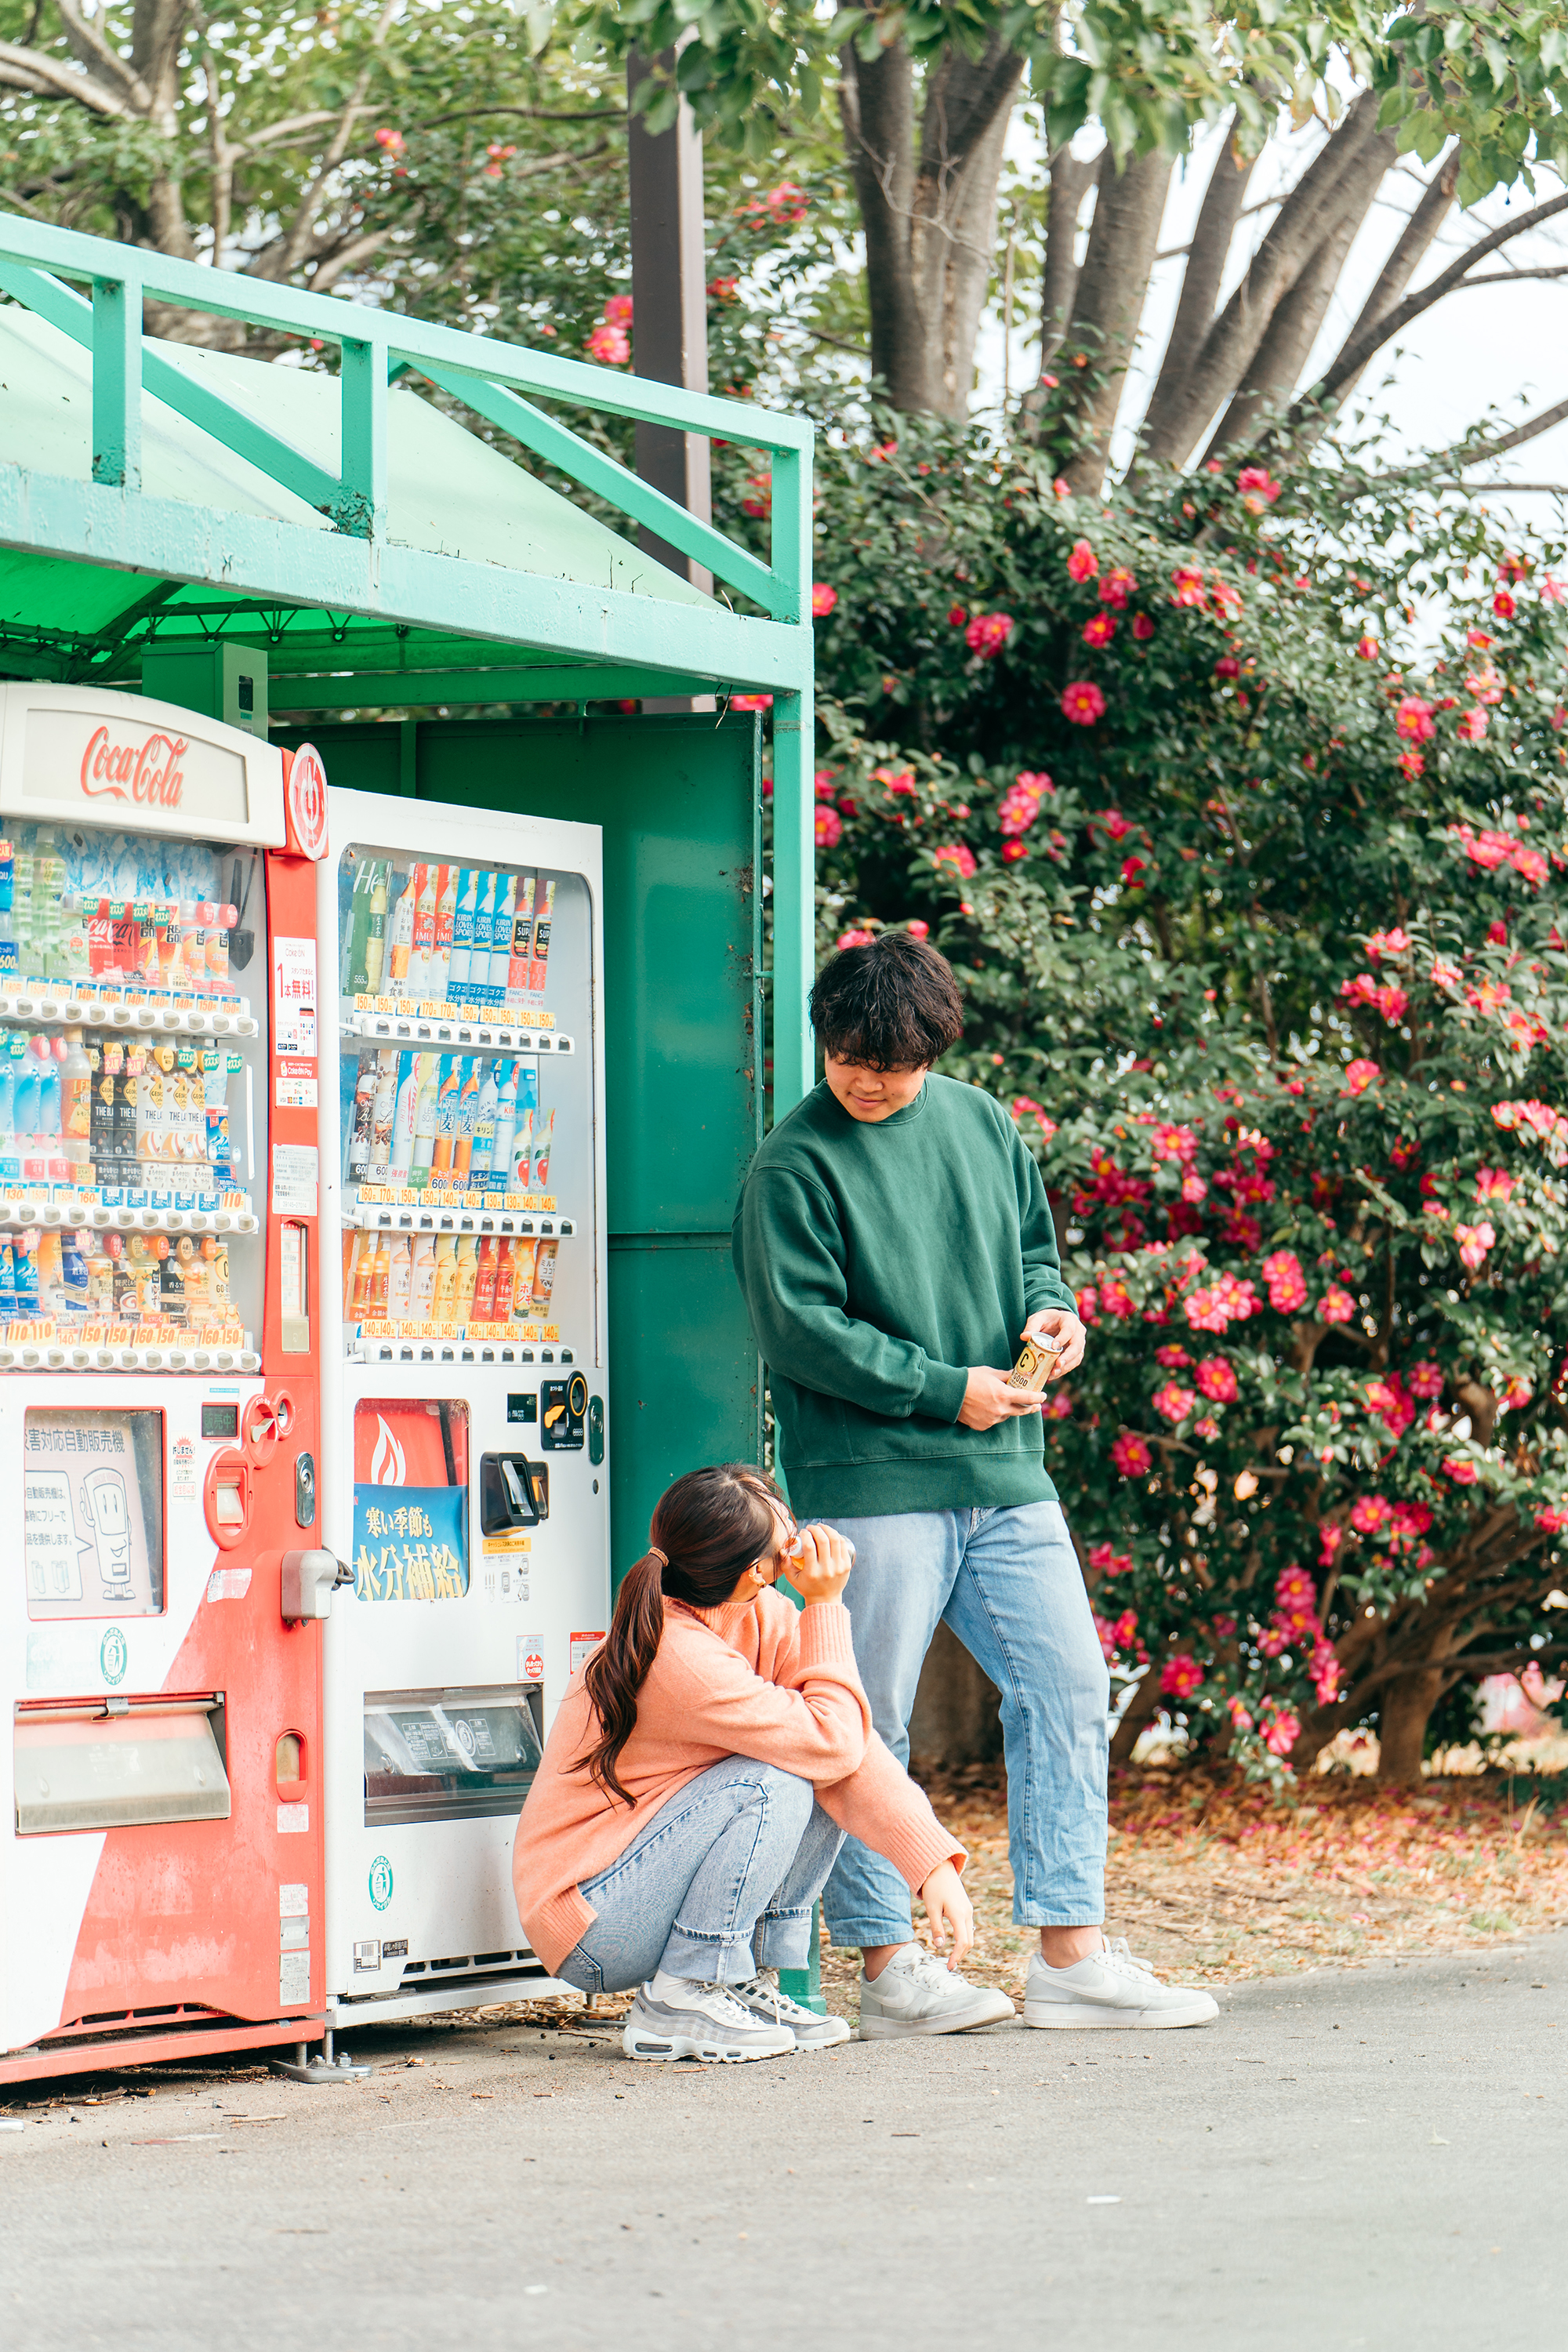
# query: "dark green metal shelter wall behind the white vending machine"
678, 803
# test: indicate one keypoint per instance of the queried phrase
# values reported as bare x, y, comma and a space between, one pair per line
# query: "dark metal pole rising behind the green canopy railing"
669, 305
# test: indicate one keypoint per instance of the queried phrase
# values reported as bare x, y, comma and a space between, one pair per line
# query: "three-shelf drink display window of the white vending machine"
464, 1102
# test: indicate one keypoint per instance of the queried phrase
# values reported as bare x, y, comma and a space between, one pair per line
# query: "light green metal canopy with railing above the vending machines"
387, 559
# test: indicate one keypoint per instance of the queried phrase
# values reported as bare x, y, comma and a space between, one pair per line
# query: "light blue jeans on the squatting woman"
716, 1887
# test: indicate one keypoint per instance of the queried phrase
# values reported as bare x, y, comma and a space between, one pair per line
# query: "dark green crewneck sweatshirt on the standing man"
880, 1264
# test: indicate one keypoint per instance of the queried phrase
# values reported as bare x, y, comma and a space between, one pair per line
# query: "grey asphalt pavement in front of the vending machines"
1367, 2158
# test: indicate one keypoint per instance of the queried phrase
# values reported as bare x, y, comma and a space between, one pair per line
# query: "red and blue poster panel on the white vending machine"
410, 1499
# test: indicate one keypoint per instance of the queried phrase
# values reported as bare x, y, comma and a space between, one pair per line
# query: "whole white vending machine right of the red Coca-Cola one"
464, 1375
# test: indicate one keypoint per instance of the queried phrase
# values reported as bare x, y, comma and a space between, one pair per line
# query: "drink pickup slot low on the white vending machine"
450, 1756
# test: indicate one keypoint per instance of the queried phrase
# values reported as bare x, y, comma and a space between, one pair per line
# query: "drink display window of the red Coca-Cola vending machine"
128, 1149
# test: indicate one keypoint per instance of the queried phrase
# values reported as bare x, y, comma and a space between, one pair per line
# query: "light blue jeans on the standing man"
1010, 1586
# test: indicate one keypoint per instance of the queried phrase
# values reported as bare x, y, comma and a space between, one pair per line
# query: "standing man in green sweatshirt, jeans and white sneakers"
894, 1245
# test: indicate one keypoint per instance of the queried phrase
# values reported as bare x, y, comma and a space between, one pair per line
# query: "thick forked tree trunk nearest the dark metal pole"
930, 215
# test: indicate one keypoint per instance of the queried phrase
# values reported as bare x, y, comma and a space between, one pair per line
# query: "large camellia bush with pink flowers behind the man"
1240, 813
